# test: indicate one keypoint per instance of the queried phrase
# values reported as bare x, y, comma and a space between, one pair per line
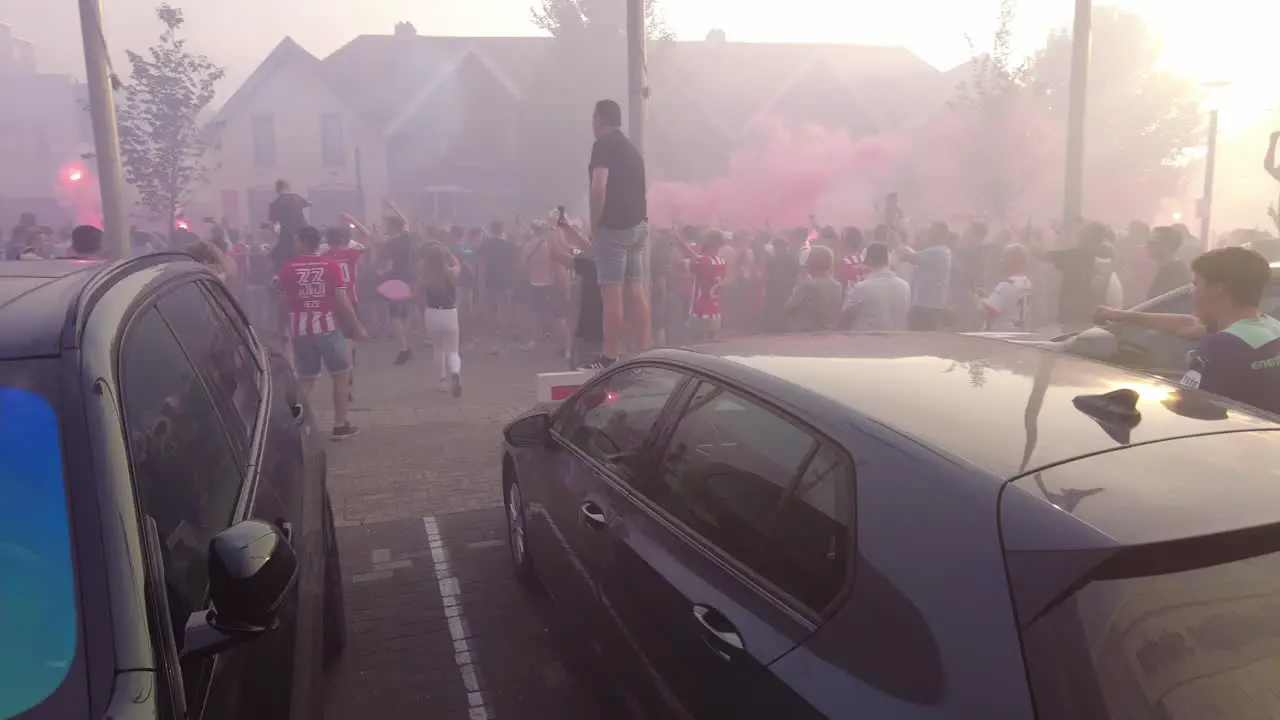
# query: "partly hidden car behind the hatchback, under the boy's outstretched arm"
1136, 348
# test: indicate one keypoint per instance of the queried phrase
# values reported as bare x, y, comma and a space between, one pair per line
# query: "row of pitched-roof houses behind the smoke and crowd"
432, 122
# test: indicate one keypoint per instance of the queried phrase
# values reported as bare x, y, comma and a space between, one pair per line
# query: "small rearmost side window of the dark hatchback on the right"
808, 549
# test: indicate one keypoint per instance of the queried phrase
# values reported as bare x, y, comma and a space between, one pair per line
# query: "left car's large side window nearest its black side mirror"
185, 471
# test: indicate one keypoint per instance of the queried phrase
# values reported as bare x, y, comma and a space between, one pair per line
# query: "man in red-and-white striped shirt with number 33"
313, 312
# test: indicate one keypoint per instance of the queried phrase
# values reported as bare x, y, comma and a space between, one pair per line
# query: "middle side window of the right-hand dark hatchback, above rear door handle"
726, 471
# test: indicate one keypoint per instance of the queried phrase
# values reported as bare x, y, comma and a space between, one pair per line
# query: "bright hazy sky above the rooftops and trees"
239, 34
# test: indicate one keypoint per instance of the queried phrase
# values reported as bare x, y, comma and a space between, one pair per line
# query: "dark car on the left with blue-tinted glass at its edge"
167, 545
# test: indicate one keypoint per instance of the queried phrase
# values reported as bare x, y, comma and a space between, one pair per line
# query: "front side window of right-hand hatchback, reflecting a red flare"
612, 418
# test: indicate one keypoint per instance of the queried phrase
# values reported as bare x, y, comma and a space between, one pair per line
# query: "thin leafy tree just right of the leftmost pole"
162, 136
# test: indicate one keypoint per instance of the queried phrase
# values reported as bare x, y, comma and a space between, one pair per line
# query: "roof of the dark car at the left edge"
39, 299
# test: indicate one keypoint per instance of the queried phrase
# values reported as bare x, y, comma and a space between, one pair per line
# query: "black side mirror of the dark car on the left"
252, 571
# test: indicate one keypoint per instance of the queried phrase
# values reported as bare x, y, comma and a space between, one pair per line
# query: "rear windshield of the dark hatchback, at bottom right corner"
1187, 646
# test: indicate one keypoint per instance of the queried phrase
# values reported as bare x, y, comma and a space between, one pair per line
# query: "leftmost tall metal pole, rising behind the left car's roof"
107, 140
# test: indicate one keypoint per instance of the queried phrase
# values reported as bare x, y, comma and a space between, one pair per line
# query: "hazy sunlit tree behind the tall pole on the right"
1141, 119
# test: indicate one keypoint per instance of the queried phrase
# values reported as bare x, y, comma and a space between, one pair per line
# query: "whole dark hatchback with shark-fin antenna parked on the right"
904, 526
